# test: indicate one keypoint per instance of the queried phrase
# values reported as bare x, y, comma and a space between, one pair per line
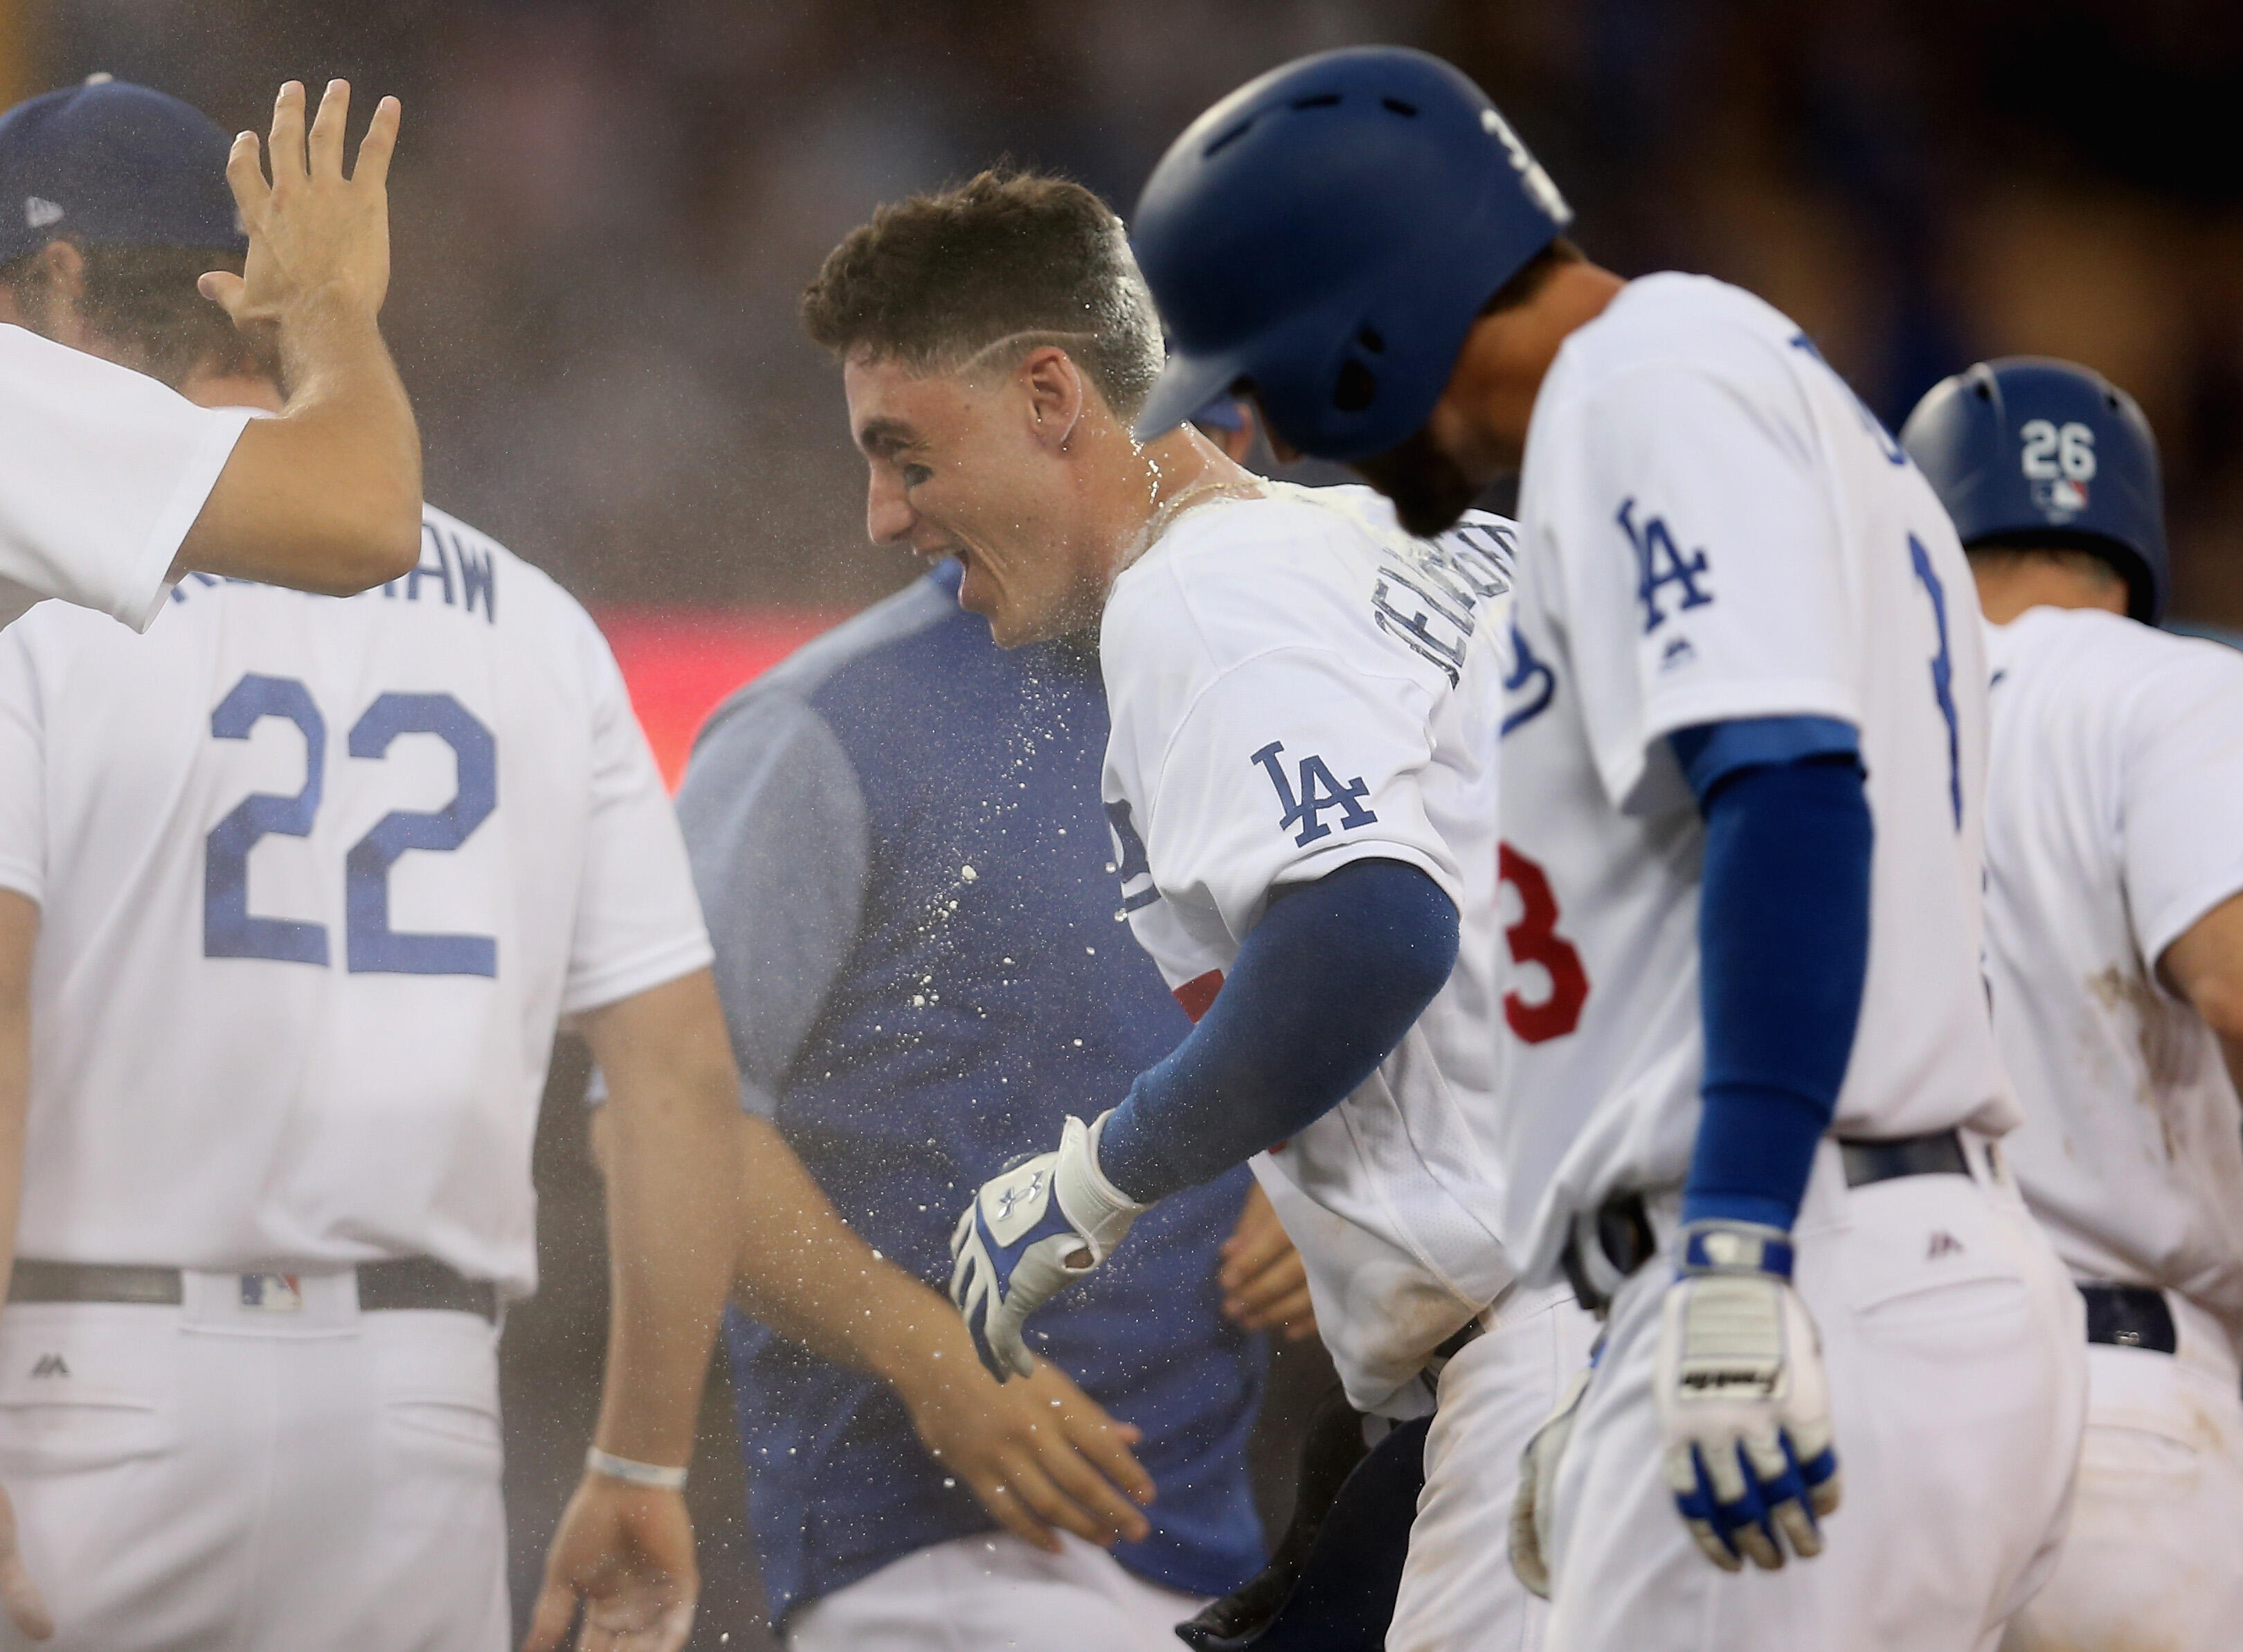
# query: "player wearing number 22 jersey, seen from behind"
293, 894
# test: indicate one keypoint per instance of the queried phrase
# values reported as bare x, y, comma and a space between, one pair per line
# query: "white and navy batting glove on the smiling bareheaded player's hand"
1033, 1229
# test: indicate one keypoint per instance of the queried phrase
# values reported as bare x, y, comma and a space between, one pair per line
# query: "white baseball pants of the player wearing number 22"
225, 1476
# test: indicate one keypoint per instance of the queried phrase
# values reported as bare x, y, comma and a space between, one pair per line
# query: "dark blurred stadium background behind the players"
607, 210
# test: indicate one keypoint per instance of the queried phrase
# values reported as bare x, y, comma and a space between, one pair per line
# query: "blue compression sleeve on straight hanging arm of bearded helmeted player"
1784, 948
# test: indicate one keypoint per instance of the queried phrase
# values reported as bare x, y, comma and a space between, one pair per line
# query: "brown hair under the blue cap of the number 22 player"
145, 302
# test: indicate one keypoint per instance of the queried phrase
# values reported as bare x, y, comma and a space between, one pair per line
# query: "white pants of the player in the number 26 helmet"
2152, 1561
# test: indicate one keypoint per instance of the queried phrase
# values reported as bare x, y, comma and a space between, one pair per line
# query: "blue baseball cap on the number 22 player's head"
113, 165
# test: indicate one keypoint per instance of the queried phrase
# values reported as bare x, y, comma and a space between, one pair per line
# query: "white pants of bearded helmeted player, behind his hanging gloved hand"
1955, 1348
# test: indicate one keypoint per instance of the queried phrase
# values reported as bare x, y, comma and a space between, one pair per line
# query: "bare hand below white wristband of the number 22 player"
627, 1552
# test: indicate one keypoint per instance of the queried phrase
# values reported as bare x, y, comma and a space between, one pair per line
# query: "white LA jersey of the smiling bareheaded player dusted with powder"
1295, 686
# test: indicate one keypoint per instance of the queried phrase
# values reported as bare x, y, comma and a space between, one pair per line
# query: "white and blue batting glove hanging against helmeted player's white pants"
1744, 1402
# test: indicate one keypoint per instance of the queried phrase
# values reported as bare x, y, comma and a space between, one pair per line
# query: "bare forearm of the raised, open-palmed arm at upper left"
329, 495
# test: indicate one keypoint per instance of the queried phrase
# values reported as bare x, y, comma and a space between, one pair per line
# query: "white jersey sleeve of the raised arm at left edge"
102, 472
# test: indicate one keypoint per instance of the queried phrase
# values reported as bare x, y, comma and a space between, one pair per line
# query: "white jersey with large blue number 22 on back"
317, 881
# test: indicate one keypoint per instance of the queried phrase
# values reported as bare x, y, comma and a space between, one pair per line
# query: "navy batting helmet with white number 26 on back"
2036, 452
